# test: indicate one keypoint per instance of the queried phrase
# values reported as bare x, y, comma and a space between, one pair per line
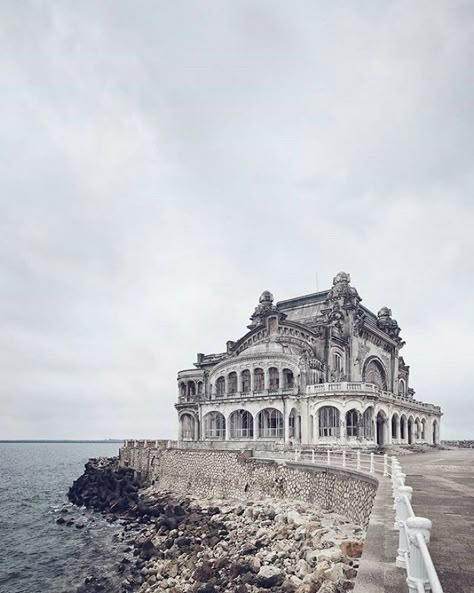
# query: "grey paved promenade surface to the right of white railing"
443, 491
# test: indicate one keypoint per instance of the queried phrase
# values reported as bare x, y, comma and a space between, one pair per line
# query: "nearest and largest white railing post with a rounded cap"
417, 527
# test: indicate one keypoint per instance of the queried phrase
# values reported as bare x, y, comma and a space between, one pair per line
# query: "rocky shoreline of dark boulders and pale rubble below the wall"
188, 545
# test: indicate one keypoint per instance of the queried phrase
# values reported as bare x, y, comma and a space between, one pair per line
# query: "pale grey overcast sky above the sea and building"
162, 163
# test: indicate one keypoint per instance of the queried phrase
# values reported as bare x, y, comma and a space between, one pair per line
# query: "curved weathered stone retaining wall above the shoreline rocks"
237, 474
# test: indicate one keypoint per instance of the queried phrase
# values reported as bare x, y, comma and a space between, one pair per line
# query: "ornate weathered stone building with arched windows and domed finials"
320, 369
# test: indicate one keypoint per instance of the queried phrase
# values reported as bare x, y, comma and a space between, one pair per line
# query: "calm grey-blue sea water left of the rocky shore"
36, 554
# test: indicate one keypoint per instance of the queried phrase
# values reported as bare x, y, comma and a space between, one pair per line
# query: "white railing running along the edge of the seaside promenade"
414, 532
